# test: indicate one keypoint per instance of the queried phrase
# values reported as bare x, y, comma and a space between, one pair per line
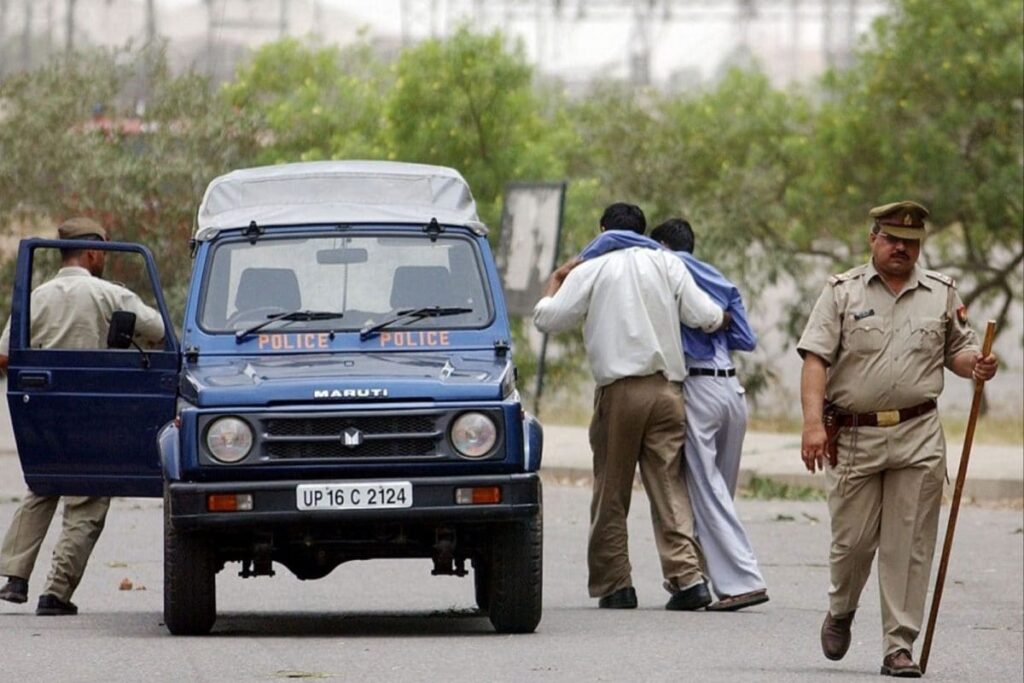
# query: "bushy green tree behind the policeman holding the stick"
935, 111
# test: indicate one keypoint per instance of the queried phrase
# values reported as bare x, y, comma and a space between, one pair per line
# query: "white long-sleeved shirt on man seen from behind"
631, 303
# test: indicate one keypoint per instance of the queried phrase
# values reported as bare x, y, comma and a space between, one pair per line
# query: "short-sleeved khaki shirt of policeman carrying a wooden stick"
886, 352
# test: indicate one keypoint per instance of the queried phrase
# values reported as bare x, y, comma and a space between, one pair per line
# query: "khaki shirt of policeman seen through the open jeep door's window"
74, 311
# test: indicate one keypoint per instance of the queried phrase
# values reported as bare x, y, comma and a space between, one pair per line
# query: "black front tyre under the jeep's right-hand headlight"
517, 574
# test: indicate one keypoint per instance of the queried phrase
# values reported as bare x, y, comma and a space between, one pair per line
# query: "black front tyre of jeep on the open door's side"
190, 580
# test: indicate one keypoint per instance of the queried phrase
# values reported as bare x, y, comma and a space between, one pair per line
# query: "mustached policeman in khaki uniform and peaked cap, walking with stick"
874, 354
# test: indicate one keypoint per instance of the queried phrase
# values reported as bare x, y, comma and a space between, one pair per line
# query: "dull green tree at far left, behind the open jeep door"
76, 142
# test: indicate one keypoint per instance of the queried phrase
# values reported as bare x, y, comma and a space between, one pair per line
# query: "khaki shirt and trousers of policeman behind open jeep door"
73, 311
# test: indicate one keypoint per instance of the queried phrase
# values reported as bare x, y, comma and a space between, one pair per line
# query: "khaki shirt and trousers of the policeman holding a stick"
886, 353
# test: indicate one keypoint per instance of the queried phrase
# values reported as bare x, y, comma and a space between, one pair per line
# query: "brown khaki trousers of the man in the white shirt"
639, 420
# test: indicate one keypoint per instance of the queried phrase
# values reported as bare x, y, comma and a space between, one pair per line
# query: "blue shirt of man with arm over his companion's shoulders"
740, 336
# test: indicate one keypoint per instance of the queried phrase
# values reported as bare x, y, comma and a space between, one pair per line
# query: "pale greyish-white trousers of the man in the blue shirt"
716, 423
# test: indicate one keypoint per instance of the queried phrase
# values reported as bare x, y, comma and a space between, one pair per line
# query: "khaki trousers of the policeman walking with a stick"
884, 495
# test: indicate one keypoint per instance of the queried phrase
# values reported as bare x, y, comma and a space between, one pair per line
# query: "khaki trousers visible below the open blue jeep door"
83, 522
